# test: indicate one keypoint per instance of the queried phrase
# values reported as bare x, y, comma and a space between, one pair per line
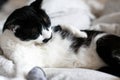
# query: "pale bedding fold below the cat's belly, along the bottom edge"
77, 74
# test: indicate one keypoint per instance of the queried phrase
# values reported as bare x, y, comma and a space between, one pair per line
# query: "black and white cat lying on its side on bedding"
28, 40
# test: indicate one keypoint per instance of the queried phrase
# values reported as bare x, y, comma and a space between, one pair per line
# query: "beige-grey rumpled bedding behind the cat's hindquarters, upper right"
110, 19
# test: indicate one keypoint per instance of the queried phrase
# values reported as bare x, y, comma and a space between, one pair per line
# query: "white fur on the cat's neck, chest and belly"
55, 53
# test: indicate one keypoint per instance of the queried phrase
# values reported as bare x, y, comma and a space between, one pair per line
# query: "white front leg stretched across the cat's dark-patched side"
76, 32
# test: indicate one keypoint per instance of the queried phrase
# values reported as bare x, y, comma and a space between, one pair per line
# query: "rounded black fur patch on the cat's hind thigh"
108, 48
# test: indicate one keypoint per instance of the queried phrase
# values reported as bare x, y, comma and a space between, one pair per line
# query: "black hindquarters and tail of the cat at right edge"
108, 48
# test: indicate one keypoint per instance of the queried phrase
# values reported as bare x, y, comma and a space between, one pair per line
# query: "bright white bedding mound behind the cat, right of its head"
77, 13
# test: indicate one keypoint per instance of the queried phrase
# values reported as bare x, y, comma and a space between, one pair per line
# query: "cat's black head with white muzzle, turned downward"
30, 23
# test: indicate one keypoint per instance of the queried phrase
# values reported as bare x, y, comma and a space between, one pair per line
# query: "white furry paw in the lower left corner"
7, 68
